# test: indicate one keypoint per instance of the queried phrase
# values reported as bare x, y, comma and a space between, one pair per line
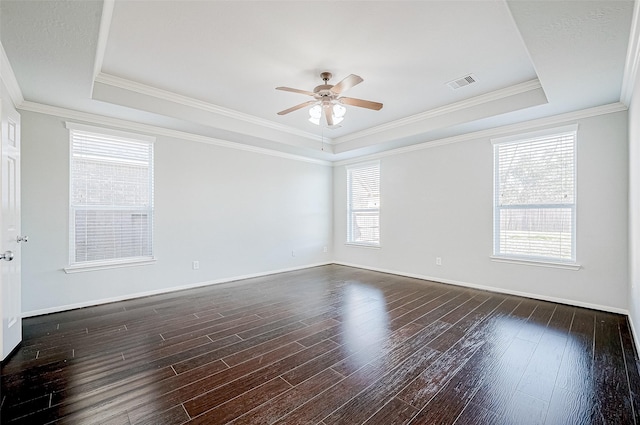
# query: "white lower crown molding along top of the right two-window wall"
495, 132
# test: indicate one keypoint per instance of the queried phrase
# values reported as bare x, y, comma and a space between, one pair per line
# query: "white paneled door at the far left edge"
10, 289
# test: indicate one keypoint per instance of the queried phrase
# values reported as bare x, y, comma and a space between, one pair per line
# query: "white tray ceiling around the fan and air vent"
210, 68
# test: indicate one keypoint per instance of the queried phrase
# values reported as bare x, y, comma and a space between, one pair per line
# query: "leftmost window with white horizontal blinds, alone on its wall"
111, 197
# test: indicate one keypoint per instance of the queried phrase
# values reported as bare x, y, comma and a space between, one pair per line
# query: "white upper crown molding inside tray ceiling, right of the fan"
447, 109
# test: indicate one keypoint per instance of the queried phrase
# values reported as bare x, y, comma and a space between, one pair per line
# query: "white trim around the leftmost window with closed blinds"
95, 265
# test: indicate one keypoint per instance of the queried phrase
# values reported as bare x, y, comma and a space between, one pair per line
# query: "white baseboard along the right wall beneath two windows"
493, 289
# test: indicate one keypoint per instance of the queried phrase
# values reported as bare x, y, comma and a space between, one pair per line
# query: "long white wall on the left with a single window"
238, 213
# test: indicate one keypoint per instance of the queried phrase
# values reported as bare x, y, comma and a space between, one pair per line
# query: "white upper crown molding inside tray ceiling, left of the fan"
122, 83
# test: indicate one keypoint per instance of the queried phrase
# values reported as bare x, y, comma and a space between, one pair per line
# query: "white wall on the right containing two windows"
437, 202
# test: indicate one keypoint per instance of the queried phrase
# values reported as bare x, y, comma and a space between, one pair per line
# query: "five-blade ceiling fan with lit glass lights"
328, 100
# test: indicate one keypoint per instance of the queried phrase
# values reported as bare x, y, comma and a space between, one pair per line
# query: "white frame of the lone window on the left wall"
91, 265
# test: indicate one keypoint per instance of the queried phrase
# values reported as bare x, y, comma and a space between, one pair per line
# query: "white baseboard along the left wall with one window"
164, 291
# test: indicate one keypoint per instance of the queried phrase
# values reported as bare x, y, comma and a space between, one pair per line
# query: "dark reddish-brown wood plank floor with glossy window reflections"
327, 345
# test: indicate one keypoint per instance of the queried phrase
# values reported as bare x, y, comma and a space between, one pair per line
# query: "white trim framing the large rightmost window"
570, 264
